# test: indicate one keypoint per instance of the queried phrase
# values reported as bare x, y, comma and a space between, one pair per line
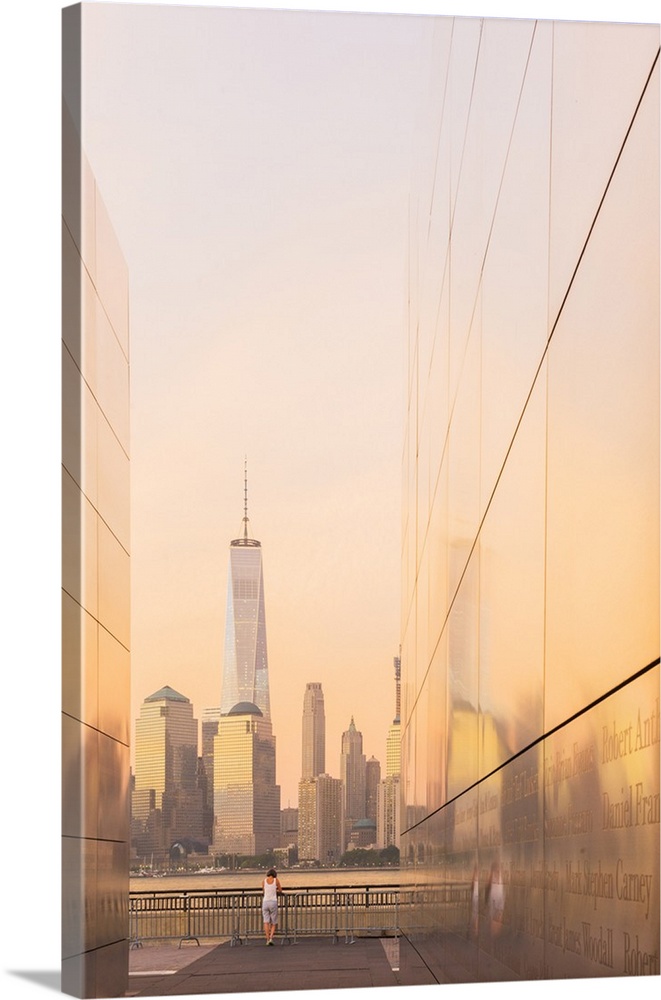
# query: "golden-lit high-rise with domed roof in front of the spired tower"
246, 797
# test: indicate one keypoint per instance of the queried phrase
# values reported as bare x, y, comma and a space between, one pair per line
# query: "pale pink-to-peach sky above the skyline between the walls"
256, 167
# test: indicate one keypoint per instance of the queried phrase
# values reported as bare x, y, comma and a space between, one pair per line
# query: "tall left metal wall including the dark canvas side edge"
95, 573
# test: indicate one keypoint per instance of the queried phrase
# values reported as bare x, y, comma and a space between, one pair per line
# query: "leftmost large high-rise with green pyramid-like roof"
166, 769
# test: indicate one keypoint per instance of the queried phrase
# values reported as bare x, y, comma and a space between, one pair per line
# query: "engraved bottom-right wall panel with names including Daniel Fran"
601, 820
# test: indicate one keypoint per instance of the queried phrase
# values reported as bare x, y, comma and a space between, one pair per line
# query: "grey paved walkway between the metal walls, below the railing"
310, 964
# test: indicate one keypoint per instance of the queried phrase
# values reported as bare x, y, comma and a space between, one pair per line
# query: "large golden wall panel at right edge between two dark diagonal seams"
603, 442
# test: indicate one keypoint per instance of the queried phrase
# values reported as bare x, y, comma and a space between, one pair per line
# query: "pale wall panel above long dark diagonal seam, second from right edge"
514, 282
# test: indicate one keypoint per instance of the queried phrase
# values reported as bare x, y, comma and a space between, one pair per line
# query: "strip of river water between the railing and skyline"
293, 878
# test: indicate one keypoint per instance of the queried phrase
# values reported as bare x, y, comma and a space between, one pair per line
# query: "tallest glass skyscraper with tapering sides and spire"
245, 669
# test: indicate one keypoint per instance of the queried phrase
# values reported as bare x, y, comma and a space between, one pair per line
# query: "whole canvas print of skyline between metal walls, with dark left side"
360, 383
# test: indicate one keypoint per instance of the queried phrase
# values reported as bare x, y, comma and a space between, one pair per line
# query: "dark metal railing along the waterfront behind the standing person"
237, 914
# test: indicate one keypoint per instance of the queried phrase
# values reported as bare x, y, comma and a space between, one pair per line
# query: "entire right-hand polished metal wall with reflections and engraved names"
530, 771
